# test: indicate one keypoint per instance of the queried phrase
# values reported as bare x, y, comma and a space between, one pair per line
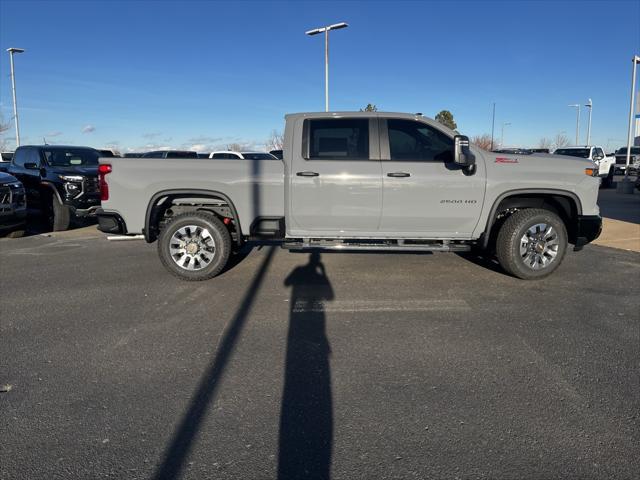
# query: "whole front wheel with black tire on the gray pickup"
521, 225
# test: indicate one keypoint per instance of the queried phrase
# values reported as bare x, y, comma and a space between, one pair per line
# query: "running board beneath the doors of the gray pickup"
387, 245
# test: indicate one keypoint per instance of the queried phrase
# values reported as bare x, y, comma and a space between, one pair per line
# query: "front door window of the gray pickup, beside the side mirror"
410, 140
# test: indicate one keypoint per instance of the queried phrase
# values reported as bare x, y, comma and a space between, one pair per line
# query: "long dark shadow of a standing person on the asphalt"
306, 417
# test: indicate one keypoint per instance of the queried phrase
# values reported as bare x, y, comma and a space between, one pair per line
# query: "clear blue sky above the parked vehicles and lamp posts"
204, 74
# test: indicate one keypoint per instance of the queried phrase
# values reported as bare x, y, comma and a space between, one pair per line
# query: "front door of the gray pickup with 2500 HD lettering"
424, 193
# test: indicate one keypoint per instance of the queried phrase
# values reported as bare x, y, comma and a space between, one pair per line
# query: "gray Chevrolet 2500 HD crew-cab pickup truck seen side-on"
357, 181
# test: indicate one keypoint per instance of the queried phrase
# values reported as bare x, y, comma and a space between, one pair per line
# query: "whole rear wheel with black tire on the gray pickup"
219, 251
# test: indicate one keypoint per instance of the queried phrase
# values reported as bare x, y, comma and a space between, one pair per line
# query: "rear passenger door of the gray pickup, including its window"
335, 184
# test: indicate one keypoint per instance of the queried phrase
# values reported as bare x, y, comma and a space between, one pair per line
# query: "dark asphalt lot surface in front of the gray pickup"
336, 366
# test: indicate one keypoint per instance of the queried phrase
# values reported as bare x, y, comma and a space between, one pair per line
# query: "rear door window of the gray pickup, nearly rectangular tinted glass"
338, 139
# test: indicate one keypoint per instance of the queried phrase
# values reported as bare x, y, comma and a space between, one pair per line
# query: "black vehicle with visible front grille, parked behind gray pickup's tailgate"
61, 181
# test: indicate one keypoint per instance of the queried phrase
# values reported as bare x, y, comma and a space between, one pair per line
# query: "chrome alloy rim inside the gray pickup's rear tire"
192, 247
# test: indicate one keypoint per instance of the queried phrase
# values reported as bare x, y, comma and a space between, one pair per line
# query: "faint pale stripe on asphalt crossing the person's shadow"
347, 306
